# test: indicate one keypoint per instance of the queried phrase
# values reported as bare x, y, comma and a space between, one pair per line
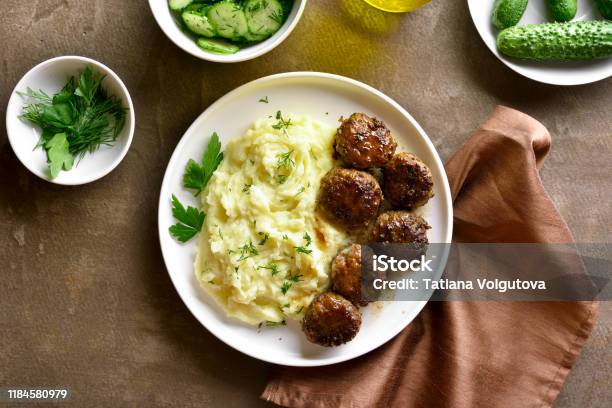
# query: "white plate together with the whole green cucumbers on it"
560, 42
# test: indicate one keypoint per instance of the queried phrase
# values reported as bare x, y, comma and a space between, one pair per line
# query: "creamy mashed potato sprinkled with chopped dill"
263, 253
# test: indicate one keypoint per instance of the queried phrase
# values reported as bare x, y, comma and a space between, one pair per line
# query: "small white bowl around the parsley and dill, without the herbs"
51, 76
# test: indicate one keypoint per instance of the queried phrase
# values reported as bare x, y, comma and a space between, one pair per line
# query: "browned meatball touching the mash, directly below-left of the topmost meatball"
350, 197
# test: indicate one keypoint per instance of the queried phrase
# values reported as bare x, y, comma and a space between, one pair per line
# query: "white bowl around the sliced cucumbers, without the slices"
173, 31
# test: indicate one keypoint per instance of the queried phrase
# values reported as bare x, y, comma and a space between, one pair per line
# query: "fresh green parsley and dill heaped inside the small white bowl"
77, 120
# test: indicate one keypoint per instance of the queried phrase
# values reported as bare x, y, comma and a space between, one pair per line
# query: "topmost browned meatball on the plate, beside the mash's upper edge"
363, 142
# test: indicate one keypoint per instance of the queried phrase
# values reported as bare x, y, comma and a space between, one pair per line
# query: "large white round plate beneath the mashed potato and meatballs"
324, 97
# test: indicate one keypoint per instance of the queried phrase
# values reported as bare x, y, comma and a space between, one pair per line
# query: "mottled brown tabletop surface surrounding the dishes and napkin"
85, 298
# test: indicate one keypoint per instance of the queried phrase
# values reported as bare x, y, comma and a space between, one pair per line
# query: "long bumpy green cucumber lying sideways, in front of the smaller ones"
580, 40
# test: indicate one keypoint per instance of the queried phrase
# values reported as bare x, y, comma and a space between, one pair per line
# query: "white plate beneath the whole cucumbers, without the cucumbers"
548, 72
